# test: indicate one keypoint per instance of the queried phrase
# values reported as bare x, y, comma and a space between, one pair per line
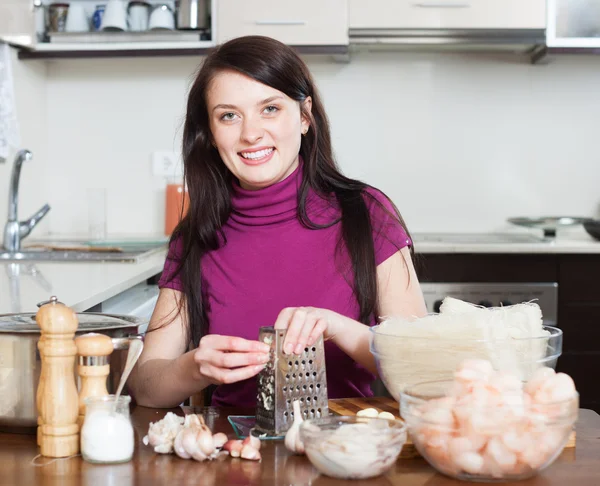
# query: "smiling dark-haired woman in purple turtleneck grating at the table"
274, 235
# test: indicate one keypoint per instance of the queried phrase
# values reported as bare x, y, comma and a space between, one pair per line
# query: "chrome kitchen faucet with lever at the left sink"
15, 230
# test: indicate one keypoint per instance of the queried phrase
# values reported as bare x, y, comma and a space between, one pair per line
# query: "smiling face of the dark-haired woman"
256, 129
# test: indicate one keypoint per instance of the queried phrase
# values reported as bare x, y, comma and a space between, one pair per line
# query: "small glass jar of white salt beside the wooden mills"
107, 433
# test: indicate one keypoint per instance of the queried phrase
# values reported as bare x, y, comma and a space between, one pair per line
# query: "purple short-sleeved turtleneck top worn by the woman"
271, 261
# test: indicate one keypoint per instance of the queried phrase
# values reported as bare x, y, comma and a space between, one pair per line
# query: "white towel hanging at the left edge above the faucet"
9, 129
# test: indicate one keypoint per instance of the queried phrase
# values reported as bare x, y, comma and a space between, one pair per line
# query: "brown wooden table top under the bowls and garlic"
575, 467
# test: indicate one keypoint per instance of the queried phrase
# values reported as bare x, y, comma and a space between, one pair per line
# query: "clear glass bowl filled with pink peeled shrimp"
482, 443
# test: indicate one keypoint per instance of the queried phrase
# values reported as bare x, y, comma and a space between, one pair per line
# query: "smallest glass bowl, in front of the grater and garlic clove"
352, 447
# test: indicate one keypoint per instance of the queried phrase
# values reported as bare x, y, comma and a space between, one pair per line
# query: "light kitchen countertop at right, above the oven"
572, 241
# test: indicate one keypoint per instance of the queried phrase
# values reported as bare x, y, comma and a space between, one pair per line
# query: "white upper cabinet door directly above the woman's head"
310, 22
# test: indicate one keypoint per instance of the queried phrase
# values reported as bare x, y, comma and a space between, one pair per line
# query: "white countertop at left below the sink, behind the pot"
80, 285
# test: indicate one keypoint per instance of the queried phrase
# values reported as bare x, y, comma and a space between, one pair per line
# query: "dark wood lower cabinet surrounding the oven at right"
578, 278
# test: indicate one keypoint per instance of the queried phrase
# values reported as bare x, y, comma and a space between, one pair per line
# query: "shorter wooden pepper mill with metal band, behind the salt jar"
93, 367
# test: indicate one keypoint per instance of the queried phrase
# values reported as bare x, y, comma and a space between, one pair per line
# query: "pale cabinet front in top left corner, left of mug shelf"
17, 21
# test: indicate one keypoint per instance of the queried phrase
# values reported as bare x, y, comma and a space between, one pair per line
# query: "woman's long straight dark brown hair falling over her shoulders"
209, 182
